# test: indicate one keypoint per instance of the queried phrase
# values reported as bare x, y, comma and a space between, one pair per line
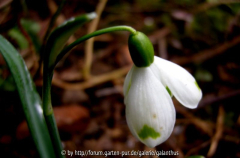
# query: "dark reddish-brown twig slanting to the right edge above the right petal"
207, 54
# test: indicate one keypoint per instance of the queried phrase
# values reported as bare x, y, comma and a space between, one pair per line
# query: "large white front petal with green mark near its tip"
149, 109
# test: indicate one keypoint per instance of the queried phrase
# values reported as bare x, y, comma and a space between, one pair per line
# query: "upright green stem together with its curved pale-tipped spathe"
54, 45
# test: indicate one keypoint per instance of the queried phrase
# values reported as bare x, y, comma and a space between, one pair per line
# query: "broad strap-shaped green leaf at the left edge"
30, 99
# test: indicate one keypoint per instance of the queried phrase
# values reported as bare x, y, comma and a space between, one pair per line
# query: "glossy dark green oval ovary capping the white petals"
141, 49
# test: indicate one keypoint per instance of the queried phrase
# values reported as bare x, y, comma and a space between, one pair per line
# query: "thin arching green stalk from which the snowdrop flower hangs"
96, 33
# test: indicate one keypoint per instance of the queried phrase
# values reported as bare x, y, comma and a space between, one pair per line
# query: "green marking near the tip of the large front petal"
147, 132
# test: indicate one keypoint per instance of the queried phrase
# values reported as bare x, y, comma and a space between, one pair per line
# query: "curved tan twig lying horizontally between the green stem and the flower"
92, 81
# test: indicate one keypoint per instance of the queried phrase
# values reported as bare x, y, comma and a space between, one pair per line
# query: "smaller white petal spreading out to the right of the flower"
181, 83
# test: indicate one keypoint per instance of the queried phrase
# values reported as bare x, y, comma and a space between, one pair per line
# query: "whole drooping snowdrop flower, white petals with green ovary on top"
148, 89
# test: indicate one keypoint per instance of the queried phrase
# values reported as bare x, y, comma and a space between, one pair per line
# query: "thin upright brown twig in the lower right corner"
218, 134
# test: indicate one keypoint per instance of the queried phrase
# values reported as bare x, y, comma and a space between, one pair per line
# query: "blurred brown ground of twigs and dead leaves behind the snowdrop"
203, 36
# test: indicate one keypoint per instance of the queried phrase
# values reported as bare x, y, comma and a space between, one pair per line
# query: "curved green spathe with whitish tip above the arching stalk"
60, 35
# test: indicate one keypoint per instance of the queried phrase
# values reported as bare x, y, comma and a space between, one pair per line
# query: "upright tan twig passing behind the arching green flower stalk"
89, 43
